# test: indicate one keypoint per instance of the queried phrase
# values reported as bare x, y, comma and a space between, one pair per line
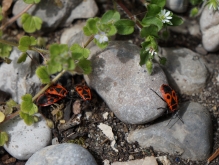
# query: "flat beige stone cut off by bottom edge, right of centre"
146, 161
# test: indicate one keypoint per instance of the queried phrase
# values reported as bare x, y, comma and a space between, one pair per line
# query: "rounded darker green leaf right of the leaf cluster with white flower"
124, 26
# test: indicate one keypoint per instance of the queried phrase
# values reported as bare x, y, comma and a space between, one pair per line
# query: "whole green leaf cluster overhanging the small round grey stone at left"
28, 109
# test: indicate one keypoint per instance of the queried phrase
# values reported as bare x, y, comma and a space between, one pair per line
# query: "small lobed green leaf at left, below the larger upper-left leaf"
25, 42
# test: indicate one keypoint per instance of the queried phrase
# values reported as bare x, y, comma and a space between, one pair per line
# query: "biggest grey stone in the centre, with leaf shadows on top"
124, 85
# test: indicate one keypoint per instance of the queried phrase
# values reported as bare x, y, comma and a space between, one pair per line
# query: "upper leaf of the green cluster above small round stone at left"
27, 105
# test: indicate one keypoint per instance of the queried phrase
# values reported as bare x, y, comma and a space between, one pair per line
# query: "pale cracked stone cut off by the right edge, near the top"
209, 24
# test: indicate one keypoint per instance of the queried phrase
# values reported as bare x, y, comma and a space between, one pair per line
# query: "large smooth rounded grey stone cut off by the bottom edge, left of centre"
62, 154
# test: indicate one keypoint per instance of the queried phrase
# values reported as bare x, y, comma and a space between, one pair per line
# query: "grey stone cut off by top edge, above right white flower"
178, 6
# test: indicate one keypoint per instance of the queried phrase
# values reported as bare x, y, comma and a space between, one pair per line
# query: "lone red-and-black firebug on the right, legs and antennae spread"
170, 97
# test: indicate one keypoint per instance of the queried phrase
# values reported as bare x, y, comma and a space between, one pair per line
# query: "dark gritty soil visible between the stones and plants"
89, 136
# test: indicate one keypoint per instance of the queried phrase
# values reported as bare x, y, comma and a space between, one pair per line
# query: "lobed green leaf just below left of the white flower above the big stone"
79, 52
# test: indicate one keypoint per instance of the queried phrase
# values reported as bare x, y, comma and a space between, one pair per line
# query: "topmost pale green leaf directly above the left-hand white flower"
110, 16
